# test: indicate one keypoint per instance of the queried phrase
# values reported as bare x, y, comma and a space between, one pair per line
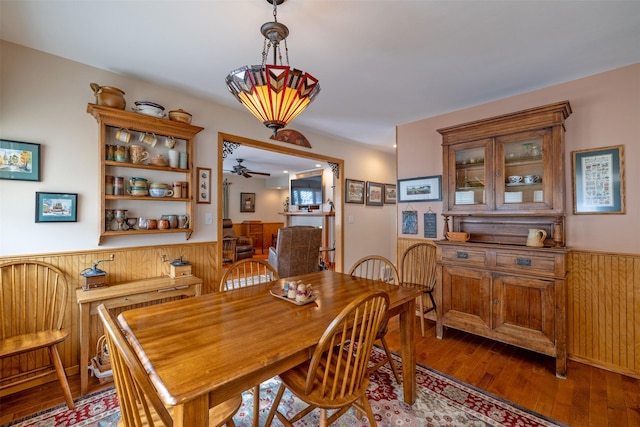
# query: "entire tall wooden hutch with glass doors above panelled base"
504, 176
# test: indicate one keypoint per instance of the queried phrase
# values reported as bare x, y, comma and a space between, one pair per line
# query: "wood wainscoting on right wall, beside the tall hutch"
603, 327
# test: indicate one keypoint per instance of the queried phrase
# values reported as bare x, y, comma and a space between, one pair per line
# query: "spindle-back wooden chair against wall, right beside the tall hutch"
418, 270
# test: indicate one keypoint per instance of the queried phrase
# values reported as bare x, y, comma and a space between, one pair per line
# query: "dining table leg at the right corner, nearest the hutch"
408, 351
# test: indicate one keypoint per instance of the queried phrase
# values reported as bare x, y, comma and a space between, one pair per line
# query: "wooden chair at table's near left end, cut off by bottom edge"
140, 404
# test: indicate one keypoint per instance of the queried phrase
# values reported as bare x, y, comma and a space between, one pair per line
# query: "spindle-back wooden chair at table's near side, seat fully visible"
336, 376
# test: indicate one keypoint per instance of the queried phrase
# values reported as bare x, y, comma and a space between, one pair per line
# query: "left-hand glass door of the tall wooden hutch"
471, 176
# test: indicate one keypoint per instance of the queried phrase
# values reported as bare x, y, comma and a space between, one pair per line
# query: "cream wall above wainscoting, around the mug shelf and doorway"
43, 99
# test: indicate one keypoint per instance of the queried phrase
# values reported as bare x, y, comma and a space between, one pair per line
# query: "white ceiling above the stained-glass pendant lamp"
380, 63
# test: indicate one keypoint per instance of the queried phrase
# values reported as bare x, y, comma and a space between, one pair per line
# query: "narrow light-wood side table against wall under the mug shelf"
121, 295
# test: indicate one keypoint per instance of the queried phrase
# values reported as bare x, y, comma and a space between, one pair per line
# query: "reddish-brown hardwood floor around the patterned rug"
589, 397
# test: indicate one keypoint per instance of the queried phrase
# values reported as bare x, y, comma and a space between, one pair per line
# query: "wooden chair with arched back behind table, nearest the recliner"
242, 274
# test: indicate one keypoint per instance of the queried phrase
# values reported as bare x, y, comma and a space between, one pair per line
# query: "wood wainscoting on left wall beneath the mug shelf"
128, 264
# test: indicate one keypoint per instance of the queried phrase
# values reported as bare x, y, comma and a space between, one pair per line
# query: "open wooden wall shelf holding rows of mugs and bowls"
110, 120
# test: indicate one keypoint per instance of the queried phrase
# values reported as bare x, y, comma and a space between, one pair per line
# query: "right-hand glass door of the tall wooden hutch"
521, 181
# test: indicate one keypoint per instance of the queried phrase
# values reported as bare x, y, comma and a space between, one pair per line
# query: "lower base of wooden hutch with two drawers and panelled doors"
516, 295
